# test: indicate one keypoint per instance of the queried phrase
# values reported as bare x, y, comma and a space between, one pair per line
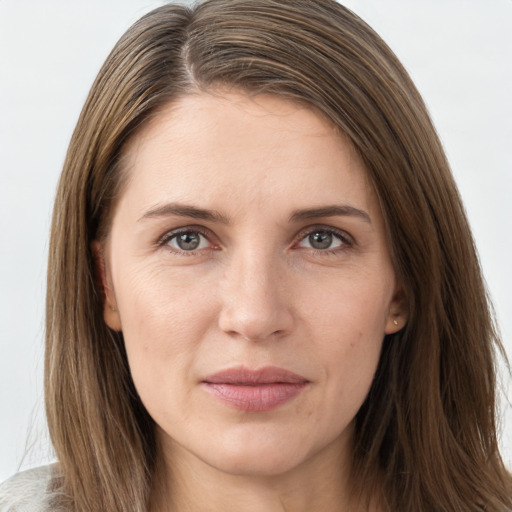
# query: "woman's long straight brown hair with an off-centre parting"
426, 434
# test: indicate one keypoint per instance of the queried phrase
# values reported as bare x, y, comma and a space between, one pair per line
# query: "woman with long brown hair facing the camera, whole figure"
263, 292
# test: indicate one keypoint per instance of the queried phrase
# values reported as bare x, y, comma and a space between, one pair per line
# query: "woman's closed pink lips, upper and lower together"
255, 390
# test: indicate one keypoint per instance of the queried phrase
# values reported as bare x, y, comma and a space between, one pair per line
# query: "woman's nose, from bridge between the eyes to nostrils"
255, 298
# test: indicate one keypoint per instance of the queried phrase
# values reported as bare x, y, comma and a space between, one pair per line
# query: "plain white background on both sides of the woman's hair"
459, 52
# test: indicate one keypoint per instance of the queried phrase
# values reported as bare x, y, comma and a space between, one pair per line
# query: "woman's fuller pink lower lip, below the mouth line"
258, 397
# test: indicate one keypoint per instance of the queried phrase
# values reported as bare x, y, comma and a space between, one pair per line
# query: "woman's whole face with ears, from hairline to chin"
248, 270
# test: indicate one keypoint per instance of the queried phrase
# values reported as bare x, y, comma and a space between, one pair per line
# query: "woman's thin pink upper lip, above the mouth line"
242, 375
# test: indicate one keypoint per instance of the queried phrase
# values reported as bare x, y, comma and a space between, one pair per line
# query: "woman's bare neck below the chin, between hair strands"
184, 483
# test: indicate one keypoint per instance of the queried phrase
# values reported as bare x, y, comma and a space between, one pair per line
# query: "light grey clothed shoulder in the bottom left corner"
28, 491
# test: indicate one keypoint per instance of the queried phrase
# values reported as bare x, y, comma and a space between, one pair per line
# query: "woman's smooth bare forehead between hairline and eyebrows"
214, 147
